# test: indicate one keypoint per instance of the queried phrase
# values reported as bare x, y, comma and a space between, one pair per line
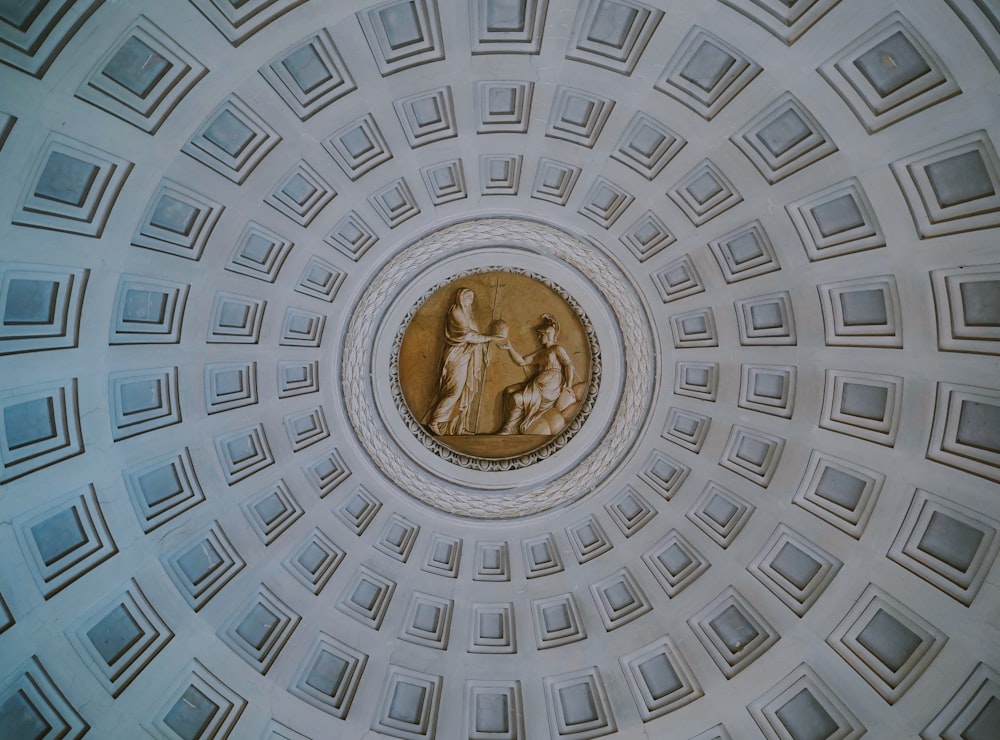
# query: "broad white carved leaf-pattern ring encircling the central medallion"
633, 403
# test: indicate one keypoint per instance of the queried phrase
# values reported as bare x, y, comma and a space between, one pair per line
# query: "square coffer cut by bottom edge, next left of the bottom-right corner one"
802, 705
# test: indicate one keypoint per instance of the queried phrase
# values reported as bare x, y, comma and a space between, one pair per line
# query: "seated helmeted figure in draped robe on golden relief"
552, 386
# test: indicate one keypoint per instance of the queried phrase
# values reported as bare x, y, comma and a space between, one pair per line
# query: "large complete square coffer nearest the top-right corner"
881, 93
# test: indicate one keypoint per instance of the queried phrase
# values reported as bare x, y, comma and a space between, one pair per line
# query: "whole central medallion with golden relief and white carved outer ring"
498, 367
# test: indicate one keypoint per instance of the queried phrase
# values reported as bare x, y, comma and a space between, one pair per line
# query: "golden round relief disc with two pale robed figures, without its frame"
495, 364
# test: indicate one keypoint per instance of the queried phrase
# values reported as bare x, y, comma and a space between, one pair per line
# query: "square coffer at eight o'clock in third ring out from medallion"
203, 566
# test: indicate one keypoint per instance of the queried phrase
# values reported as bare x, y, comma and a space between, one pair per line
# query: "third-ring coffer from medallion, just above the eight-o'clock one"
163, 488
